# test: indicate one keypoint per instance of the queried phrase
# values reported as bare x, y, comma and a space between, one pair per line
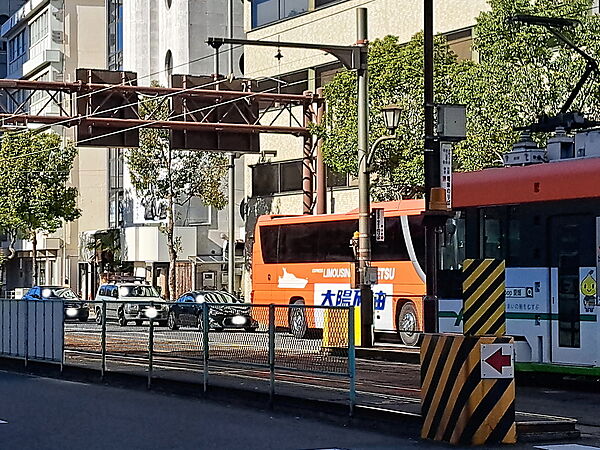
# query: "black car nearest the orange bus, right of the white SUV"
187, 311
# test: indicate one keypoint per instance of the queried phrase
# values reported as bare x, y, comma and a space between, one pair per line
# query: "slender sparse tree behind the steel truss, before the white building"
172, 177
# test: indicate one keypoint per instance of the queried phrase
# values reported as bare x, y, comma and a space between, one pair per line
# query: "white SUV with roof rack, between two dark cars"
131, 302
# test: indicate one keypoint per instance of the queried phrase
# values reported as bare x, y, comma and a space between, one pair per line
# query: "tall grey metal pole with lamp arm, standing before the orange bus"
364, 205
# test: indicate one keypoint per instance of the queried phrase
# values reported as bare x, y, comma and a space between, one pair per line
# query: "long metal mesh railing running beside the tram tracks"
207, 343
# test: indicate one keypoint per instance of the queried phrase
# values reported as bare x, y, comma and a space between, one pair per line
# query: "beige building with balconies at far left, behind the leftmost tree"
47, 40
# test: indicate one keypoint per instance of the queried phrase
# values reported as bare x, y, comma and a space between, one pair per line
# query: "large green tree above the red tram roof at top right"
524, 72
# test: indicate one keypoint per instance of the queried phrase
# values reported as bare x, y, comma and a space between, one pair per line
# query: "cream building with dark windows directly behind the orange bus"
274, 184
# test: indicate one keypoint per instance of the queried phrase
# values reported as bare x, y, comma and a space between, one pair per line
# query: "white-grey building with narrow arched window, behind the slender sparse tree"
155, 39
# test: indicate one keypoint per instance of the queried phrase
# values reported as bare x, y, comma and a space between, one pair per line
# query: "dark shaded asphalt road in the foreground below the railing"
40, 413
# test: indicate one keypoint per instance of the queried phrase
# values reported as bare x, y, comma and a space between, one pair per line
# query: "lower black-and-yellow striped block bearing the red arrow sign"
458, 406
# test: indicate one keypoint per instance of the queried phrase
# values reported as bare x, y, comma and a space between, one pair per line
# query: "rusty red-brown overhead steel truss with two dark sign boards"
204, 112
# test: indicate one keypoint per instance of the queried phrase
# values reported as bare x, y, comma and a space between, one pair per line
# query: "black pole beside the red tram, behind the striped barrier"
432, 176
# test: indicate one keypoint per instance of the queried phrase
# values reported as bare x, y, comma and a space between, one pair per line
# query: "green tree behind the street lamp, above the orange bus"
395, 77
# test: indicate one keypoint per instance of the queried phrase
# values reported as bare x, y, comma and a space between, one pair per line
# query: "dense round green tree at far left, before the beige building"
34, 192
